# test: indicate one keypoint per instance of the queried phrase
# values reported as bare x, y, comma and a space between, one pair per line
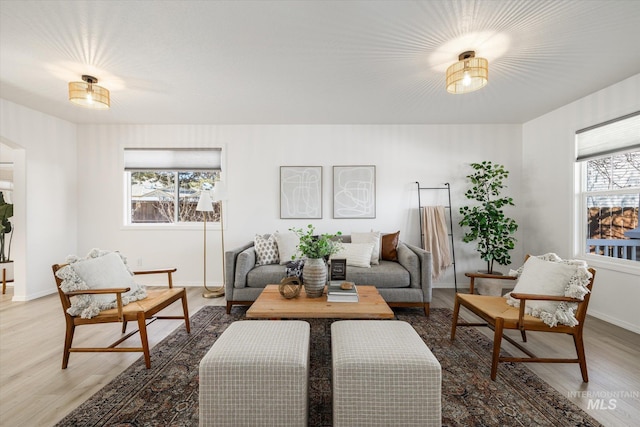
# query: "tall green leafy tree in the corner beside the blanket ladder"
487, 224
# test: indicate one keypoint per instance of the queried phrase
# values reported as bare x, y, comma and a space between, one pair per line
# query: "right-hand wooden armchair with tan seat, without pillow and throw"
499, 316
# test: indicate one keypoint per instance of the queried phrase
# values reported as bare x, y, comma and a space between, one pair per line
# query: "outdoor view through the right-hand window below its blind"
612, 196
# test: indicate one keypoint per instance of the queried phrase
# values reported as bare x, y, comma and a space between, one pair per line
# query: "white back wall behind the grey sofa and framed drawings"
253, 153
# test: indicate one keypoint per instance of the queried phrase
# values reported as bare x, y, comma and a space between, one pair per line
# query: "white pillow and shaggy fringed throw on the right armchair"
550, 275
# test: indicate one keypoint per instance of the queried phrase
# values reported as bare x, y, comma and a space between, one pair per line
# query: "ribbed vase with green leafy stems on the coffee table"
316, 248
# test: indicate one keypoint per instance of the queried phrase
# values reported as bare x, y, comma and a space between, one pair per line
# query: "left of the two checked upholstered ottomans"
256, 374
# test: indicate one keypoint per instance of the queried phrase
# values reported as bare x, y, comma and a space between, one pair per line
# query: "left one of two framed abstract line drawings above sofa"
300, 192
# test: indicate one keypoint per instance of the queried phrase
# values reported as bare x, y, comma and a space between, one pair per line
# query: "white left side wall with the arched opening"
44, 196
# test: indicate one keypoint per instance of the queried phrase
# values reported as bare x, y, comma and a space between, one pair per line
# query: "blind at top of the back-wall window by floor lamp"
175, 159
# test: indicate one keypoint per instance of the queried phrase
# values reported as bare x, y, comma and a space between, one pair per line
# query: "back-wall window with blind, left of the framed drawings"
163, 186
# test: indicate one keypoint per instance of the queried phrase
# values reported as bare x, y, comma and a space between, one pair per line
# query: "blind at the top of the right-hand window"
614, 136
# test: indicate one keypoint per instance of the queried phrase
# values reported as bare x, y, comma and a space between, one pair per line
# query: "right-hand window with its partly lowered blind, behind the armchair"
608, 161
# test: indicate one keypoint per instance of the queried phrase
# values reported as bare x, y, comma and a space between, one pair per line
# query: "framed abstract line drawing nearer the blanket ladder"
354, 191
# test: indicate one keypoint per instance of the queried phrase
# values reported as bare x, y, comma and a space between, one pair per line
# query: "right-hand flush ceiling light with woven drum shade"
468, 74
